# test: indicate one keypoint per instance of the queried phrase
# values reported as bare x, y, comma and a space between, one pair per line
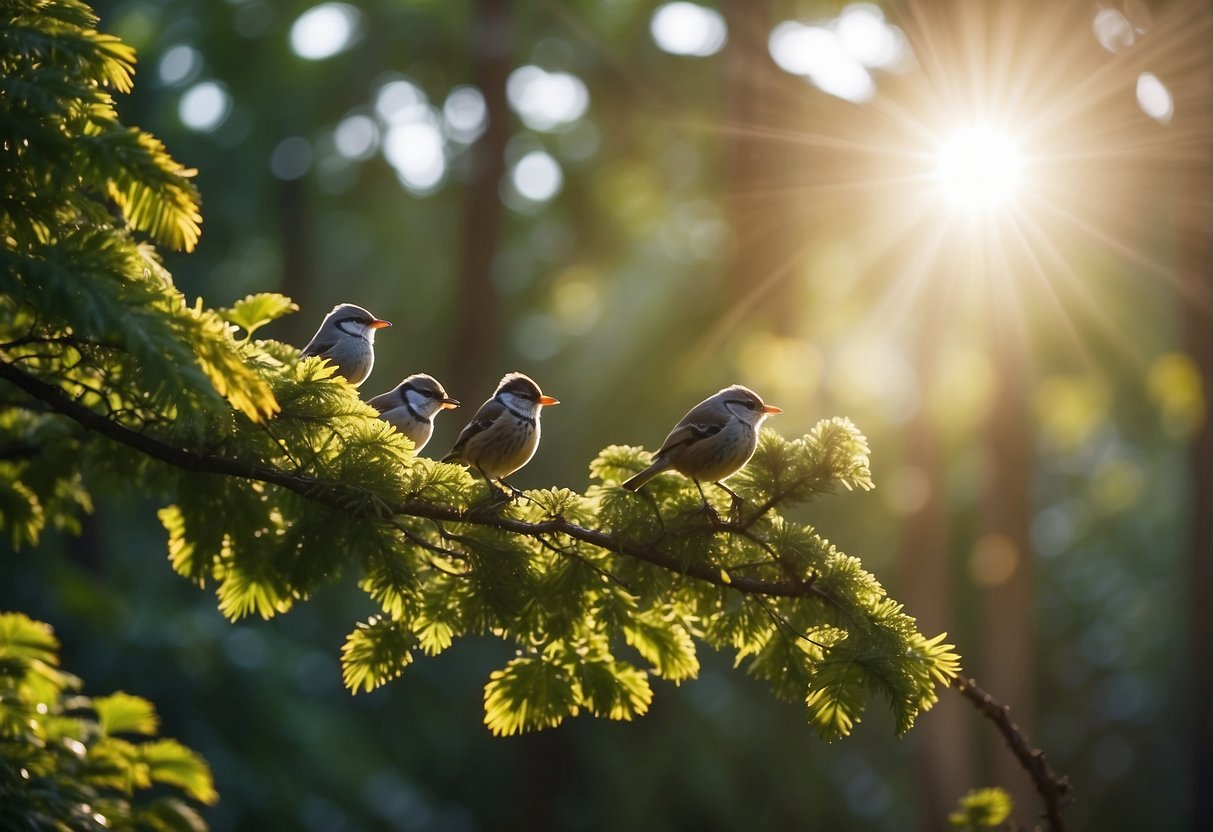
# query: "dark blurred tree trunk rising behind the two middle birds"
476, 330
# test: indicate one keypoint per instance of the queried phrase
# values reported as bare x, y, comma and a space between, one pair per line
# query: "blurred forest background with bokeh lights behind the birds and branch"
639, 204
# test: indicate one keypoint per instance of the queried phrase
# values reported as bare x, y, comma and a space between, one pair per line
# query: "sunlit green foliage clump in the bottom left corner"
66, 762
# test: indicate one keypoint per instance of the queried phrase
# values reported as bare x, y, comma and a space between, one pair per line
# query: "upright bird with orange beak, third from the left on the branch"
504, 434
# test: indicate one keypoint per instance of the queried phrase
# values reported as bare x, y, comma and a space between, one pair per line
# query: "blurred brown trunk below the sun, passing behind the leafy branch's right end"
942, 748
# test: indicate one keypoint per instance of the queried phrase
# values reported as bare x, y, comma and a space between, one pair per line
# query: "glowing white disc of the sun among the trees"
979, 168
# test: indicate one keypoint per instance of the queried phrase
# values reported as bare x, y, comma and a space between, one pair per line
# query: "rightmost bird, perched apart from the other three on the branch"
713, 442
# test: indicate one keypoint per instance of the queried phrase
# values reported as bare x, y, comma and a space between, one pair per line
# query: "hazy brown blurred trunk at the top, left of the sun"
758, 167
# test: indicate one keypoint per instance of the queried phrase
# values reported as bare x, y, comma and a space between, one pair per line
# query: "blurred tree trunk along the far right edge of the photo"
1194, 118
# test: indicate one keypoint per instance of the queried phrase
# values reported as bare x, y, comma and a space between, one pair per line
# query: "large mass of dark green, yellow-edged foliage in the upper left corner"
84, 300
